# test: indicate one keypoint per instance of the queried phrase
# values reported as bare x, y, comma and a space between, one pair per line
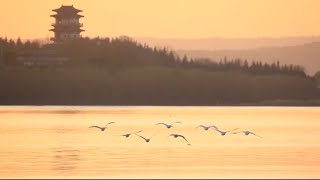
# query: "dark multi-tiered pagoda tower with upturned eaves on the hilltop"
67, 25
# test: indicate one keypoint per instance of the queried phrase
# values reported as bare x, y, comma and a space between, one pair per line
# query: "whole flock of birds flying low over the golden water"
168, 126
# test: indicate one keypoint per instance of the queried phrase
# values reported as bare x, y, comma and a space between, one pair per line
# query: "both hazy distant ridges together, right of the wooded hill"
304, 51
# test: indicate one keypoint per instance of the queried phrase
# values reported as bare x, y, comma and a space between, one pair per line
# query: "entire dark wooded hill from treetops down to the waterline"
121, 71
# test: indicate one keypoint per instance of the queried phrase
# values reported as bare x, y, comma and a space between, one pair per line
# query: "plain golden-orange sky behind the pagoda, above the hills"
167, 18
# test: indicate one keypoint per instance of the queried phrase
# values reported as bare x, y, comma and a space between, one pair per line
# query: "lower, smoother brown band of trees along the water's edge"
148, 86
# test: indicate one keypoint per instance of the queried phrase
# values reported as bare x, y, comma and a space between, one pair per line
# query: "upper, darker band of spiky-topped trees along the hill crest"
126, 52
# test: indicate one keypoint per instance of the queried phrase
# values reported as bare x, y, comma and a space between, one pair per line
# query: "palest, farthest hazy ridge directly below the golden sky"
227, 43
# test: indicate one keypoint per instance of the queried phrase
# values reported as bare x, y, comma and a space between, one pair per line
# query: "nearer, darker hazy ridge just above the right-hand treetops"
307, 55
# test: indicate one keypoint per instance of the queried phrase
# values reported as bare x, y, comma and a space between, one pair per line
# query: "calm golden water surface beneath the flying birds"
55, 142
